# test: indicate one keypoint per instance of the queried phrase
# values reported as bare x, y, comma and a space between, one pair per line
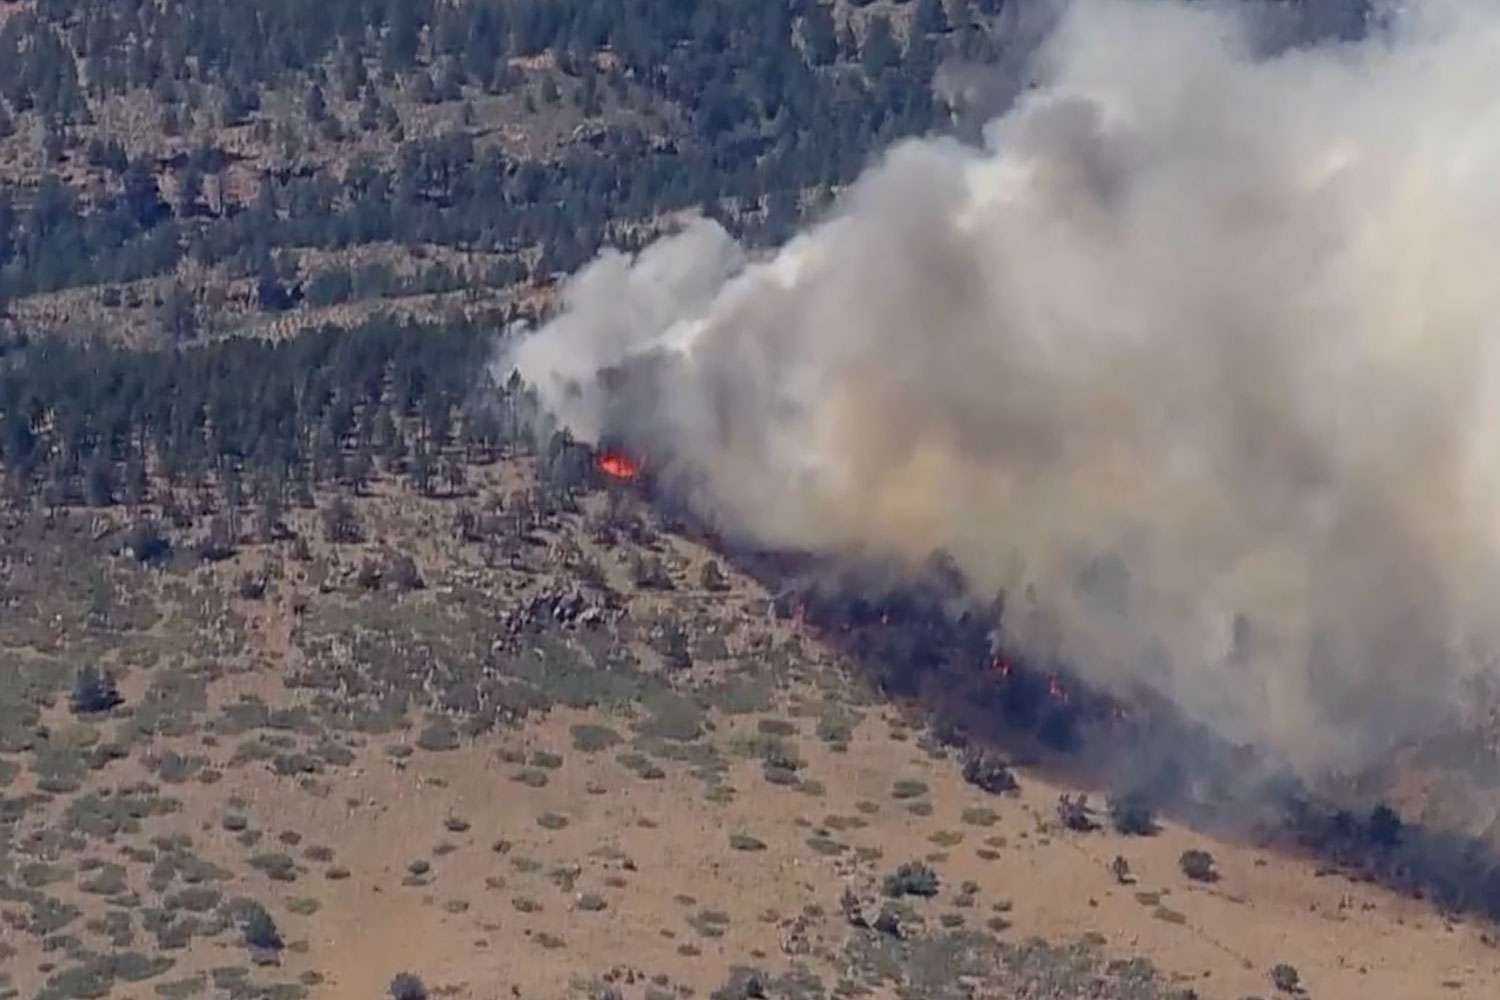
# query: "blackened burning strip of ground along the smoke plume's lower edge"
928, 645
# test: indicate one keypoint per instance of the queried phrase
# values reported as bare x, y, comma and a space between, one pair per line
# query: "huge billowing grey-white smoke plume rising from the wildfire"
1199, 346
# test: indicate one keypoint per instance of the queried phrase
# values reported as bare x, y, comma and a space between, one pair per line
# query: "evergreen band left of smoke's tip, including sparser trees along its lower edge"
253, 427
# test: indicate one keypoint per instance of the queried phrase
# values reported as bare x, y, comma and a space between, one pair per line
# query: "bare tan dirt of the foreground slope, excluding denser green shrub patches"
653, 846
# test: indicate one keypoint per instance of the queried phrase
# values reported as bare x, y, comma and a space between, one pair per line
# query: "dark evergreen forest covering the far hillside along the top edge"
769, 101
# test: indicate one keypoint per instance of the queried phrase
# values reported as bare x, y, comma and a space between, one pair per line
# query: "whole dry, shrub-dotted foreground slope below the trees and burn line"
529, 776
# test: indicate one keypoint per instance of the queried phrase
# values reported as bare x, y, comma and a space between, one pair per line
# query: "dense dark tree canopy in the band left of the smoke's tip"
247, 415
